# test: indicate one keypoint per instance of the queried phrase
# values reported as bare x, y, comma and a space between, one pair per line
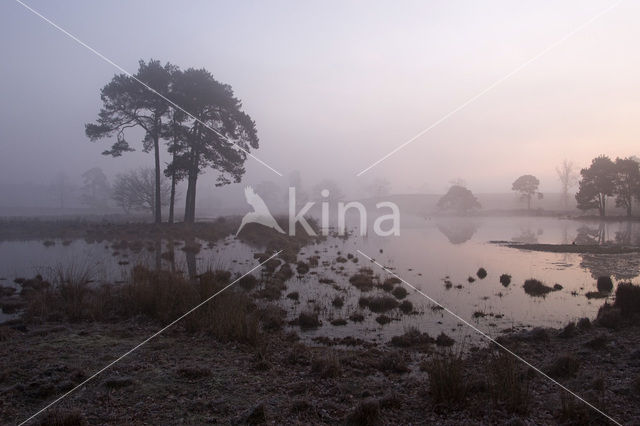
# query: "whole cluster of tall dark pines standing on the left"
206, 136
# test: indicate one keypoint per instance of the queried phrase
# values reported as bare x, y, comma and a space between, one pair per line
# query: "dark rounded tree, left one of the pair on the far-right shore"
596, 184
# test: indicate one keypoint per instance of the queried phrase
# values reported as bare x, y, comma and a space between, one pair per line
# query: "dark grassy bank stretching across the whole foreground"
234, 360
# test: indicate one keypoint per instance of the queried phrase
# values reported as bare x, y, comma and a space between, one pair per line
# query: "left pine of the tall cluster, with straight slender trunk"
127, 104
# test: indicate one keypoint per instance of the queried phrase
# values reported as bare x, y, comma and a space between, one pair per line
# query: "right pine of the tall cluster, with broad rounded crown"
199, 148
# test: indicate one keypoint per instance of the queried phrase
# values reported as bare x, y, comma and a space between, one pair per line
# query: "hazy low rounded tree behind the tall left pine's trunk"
135, 191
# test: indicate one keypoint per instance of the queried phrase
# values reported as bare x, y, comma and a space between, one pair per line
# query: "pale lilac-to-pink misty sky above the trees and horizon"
333, 86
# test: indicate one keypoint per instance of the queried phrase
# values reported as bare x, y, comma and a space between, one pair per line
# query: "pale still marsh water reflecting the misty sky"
424, 253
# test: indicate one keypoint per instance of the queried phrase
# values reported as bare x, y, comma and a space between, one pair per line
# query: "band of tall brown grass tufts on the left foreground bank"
161, 296
